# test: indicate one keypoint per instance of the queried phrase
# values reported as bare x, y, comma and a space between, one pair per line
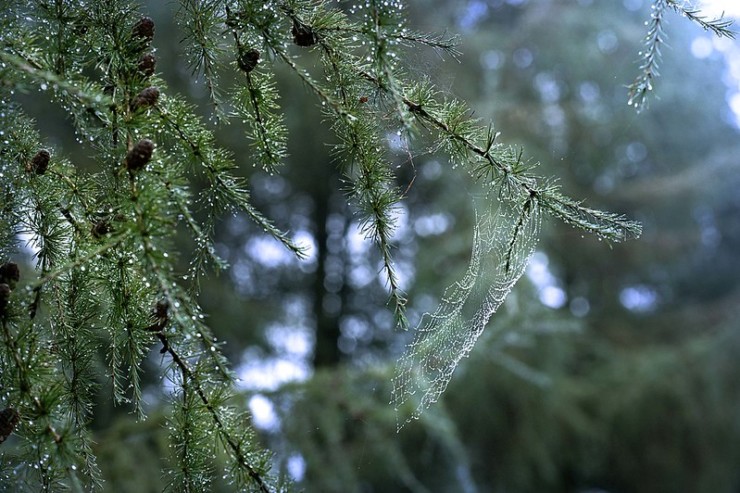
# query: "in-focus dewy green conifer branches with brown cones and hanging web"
105, 288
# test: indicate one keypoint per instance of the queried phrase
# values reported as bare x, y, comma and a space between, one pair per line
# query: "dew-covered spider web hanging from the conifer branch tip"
503, 242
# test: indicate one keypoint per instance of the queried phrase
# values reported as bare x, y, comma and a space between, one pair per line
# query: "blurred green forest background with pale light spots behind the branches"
610, 367
